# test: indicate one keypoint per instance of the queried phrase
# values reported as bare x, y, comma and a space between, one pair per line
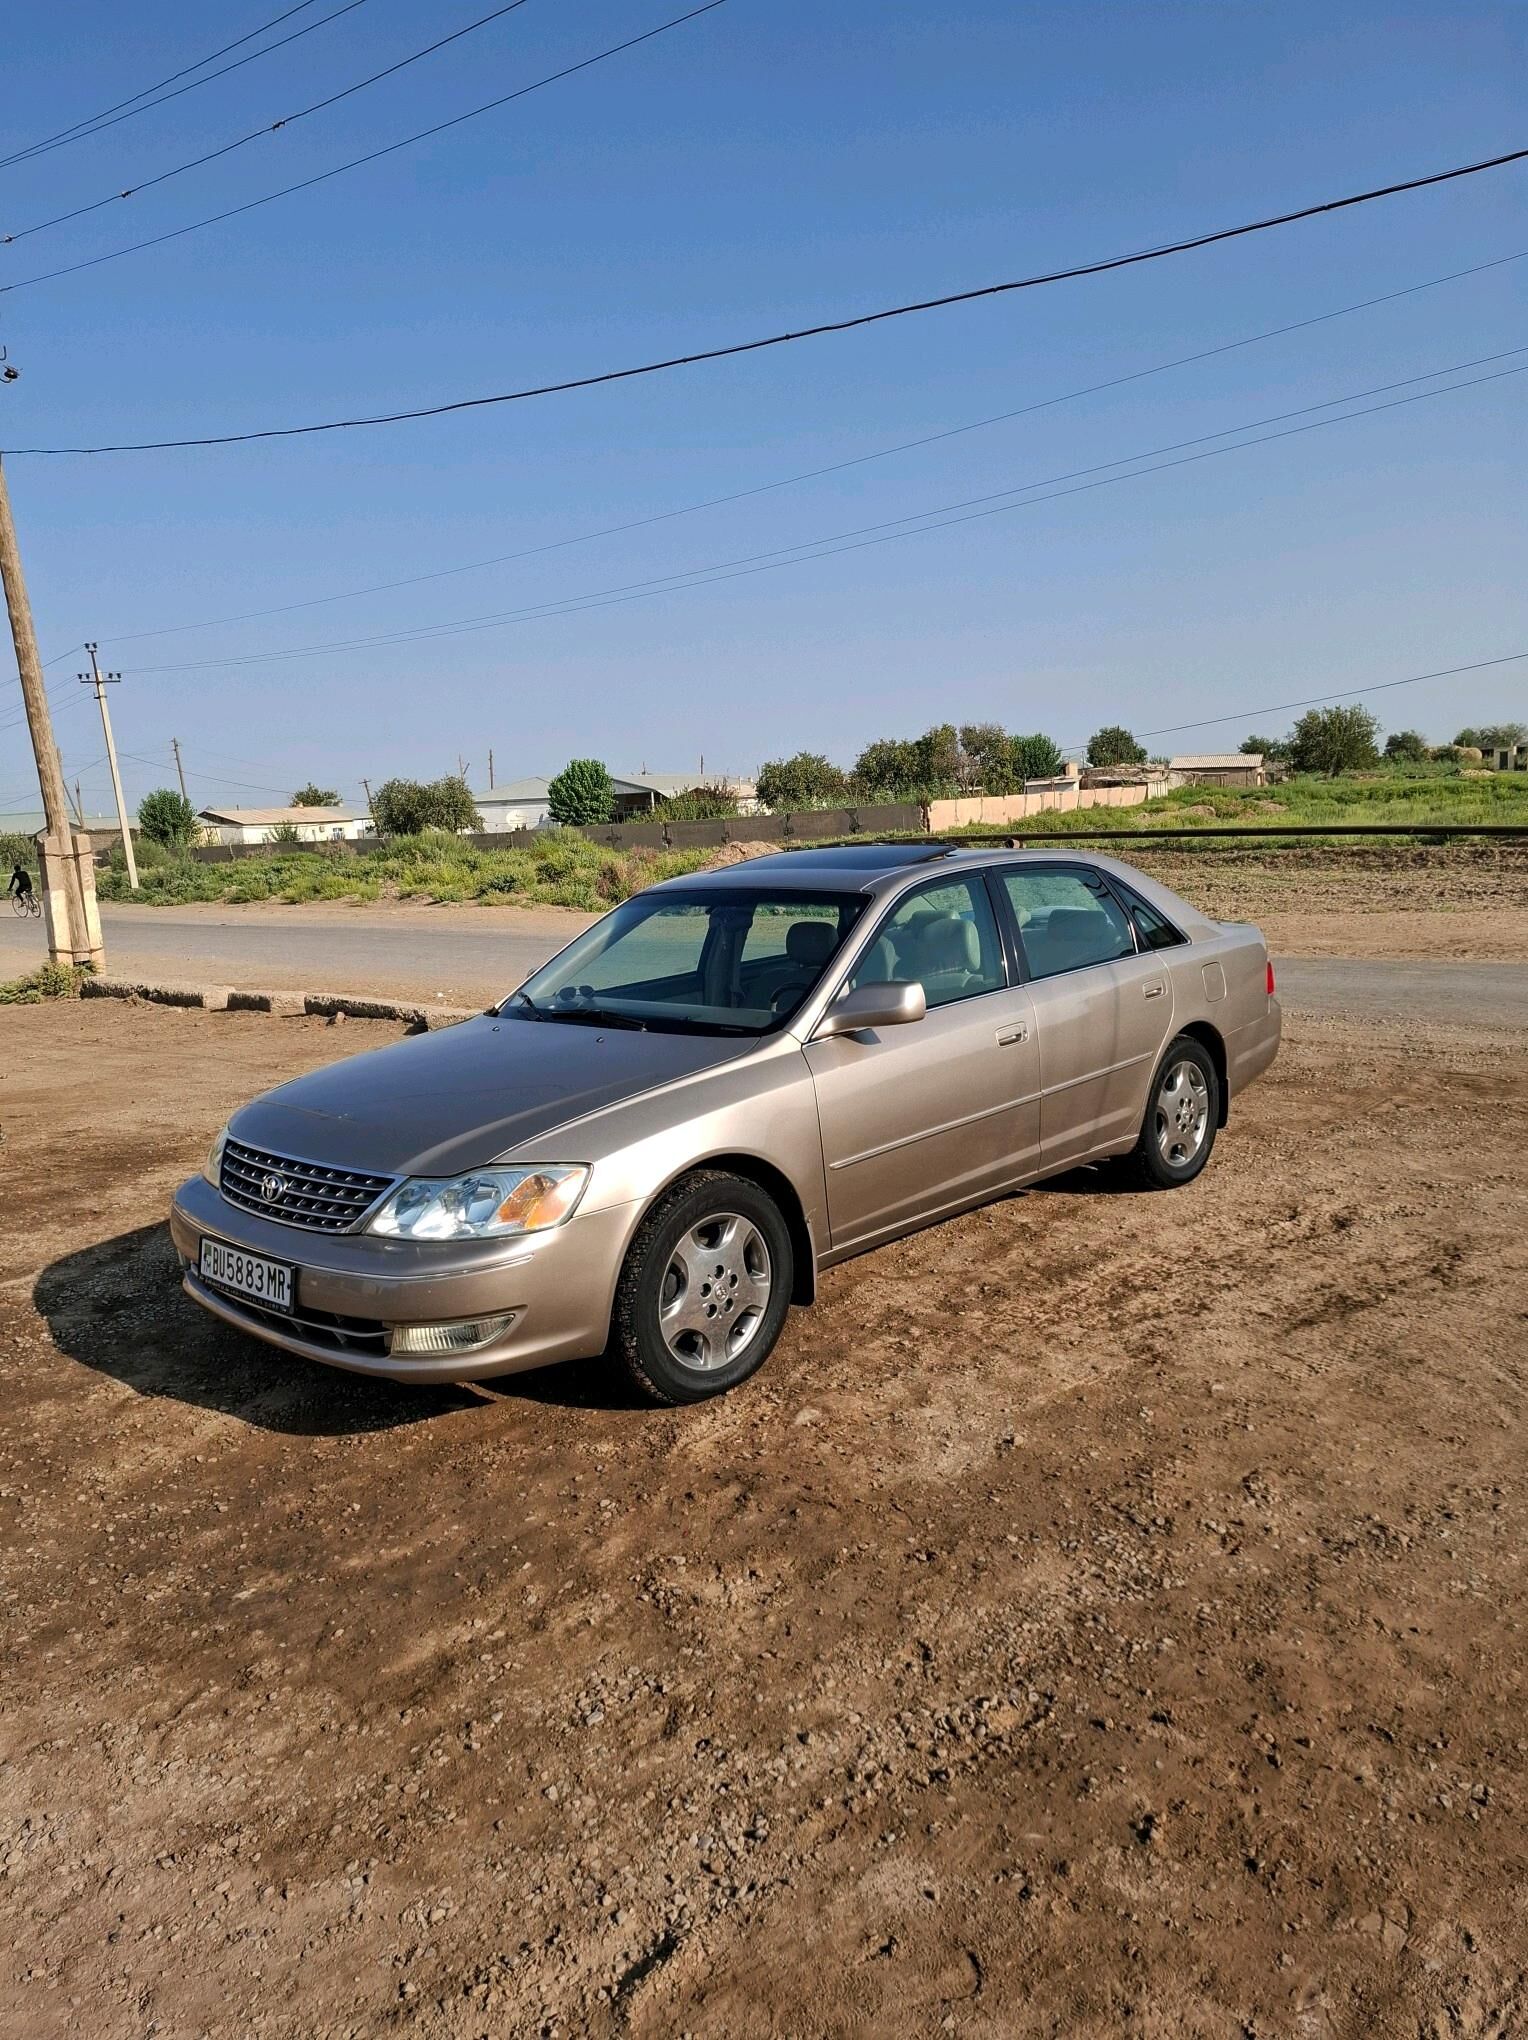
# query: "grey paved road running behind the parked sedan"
468, 956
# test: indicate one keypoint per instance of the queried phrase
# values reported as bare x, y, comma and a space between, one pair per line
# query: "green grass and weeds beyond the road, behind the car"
572, 872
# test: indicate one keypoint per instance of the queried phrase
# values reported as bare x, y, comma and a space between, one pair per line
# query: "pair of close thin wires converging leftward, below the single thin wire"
866, 535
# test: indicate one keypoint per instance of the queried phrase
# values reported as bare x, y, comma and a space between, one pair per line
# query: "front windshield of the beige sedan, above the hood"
733, 962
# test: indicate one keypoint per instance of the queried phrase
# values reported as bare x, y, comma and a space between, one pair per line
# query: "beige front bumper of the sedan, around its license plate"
560, 1286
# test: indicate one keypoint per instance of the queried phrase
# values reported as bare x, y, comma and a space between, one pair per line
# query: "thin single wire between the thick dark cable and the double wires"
815, 474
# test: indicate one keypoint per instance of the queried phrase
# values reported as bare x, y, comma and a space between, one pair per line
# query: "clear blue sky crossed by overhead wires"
760, 168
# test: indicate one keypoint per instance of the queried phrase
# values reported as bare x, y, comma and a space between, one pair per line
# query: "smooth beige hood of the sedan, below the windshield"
470, 1094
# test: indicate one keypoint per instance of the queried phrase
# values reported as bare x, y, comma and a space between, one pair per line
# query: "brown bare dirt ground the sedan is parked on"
1103, 1617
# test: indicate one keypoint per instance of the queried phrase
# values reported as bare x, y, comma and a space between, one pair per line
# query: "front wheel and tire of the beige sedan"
705, 1292
